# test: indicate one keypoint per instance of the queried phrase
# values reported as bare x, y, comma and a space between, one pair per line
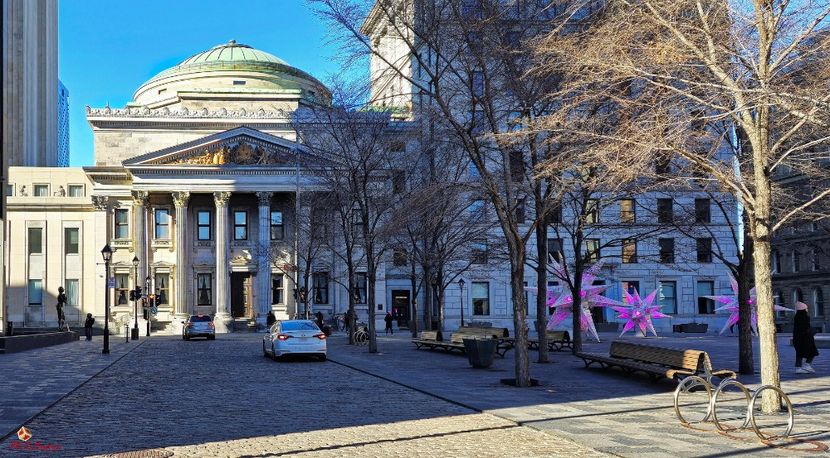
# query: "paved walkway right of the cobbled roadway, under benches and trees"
620, 414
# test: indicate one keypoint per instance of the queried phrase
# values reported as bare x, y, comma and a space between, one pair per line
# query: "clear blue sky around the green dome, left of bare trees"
108, 48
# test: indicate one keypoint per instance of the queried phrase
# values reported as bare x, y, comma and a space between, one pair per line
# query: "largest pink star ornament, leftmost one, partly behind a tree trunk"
590, 294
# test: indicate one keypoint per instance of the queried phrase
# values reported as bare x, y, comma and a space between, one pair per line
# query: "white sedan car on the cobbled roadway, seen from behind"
294, 337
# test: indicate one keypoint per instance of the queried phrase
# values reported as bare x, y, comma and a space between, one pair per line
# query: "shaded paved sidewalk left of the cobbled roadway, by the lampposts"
35, 379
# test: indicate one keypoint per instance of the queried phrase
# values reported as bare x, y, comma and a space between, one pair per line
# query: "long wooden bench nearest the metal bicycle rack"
656, 362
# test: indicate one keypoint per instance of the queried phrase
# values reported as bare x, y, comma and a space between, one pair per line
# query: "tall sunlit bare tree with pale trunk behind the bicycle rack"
759, 64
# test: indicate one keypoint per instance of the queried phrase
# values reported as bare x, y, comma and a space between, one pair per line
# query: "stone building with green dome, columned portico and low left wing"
193, 180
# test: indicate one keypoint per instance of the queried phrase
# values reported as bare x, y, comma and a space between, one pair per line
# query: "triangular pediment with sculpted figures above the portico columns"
241, 146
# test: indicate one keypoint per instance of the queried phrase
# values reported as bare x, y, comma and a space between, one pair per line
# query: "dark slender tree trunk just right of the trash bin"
522, 362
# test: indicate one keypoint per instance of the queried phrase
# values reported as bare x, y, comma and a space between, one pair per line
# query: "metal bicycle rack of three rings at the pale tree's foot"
688, 383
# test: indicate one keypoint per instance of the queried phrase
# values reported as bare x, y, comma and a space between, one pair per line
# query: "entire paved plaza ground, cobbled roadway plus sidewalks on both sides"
222, 398
